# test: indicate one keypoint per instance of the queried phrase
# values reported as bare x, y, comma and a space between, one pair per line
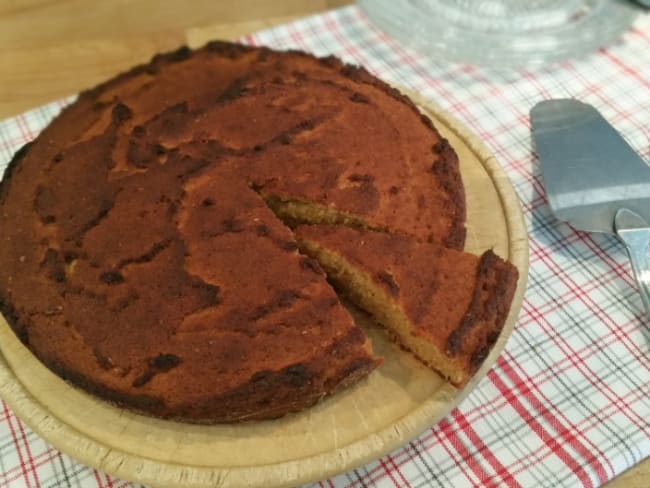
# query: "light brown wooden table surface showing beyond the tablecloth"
53, 48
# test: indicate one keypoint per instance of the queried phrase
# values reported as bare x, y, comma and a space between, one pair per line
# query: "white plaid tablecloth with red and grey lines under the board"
568, 401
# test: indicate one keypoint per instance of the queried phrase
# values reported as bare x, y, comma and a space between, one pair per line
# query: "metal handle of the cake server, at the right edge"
634, 231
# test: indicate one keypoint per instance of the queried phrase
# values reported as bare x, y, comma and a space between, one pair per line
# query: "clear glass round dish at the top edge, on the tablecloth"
502, 33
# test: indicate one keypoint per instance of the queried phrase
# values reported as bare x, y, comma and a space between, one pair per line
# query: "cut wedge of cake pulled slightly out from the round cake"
446, 306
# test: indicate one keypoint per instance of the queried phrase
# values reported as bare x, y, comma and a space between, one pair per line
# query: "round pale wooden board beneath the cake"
395, 403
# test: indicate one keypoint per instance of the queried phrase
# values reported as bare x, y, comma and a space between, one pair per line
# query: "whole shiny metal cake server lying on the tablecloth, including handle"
594, 180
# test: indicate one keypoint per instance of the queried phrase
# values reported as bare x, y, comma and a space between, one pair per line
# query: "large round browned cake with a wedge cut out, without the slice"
147, 252
